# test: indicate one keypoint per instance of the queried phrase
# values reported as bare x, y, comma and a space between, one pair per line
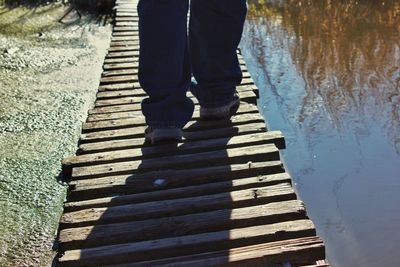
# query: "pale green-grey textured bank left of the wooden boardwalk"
49, 75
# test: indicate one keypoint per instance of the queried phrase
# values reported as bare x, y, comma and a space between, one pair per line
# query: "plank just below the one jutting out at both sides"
226, 156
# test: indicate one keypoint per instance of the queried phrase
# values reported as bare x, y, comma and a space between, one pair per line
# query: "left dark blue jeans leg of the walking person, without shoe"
164, 66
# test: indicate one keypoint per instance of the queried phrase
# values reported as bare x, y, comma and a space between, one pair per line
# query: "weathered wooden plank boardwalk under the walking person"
219, 197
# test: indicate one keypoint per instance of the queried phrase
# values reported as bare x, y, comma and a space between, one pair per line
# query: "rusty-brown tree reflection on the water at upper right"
347, 53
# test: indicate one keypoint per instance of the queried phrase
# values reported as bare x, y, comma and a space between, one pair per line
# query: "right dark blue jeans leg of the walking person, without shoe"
215, 31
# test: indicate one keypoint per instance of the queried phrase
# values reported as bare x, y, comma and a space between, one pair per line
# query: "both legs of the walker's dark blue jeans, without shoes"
169, 56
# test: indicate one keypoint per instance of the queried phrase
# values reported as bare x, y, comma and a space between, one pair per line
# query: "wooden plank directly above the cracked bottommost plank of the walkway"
179, 246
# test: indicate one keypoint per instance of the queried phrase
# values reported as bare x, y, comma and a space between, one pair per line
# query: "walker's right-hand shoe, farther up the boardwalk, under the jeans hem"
224, 112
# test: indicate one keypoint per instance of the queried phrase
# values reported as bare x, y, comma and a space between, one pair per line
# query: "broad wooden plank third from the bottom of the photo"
100, 235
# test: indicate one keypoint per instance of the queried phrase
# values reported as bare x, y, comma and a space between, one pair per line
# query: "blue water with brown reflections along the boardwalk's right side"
329, 78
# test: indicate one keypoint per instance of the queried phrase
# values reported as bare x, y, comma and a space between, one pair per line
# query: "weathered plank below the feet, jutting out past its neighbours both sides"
173, 149
